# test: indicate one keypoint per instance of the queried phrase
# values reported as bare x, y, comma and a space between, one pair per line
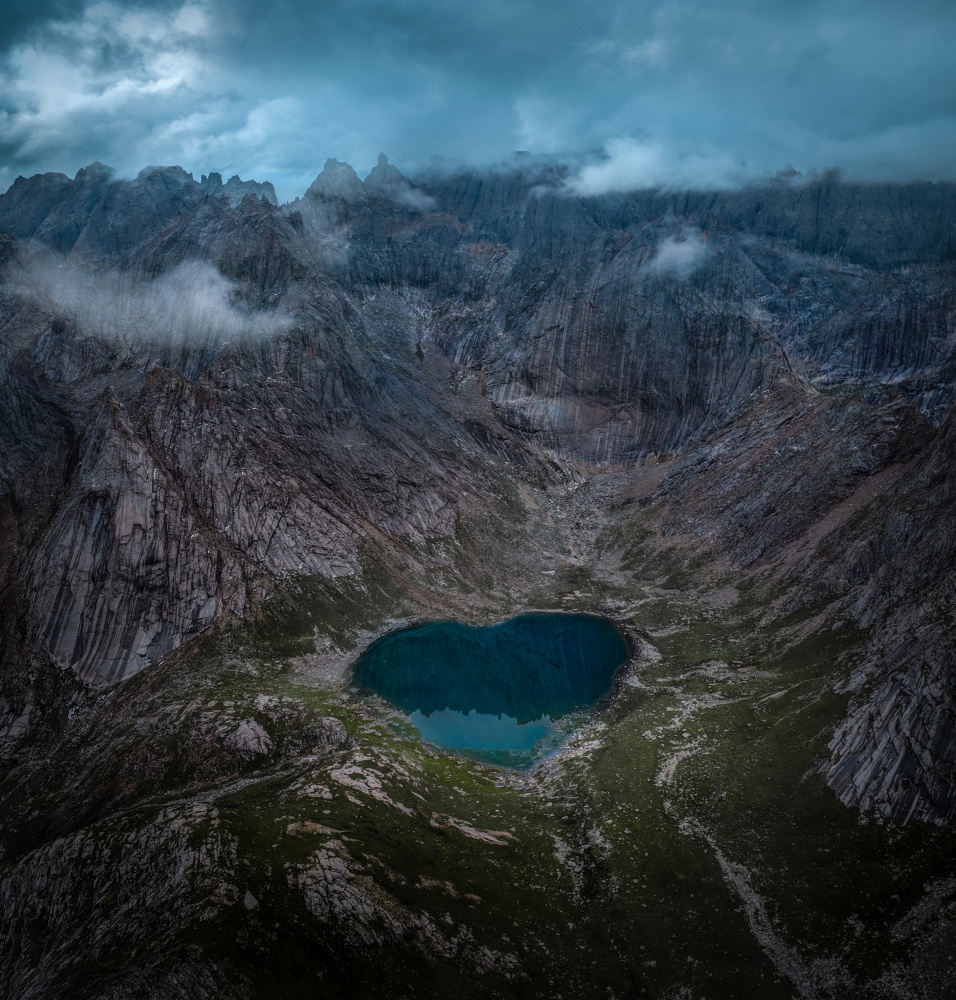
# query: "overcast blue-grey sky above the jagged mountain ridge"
671, 93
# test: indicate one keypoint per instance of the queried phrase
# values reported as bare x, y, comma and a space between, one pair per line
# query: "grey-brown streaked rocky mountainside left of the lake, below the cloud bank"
171, 500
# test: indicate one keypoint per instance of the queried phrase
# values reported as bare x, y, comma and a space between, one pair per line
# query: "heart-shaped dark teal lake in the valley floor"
507, 694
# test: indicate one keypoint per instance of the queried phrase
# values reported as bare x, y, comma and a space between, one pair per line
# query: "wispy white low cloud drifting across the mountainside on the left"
191, 304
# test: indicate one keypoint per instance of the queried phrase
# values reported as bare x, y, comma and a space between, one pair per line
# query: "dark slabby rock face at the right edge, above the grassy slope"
897, 749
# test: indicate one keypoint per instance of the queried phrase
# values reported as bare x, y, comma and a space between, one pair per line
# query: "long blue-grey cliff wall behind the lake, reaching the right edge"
614, 327
